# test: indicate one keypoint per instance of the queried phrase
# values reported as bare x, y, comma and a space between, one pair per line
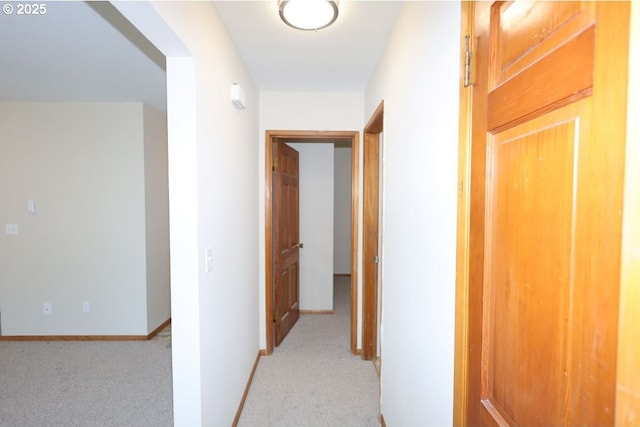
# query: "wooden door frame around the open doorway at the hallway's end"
317, 137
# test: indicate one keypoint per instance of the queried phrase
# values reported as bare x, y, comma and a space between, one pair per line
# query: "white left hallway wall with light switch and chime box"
213, 157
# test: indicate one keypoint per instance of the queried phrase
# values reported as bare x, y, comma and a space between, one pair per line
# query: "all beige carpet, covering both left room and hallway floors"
312, 379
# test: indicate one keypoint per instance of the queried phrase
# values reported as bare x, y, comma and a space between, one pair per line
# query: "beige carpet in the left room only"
67, 384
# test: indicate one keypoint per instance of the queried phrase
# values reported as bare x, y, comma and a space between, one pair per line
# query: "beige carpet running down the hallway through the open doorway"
312, 379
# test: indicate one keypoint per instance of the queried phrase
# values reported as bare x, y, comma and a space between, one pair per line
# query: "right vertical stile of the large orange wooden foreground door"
599, 221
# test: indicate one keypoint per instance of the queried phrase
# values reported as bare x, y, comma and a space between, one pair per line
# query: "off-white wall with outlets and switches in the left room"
84, 165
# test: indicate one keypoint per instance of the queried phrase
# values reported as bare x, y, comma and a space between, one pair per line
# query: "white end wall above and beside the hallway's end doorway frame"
299, 111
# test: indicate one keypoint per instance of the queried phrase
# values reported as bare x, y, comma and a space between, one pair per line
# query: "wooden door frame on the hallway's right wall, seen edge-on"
370, 320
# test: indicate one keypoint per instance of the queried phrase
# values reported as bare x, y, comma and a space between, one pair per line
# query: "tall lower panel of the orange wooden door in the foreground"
529, 285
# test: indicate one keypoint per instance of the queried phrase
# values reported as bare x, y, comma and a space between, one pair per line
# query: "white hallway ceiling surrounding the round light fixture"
340, 58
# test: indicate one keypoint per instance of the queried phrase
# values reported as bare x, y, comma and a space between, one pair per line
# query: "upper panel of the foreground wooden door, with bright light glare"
525, 31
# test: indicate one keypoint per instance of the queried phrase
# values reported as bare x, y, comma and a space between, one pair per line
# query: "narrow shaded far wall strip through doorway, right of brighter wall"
342, 211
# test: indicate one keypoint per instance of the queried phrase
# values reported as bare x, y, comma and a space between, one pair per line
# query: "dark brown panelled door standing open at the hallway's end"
286, 240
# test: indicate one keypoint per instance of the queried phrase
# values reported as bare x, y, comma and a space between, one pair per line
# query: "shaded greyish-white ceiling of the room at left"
72, 53
